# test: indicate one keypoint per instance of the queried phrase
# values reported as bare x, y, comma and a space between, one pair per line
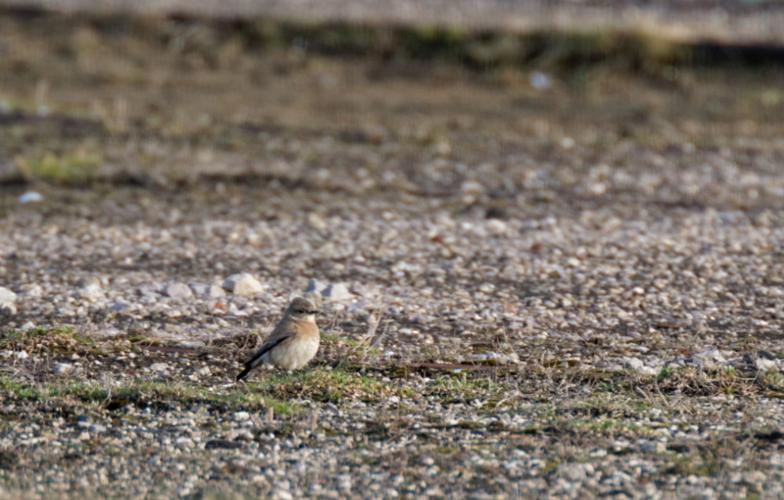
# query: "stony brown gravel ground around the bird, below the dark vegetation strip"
534, 283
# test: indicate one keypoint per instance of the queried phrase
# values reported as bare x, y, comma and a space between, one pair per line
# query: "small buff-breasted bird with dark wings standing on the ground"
293, 342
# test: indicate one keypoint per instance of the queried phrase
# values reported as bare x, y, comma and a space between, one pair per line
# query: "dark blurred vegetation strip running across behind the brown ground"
476, 49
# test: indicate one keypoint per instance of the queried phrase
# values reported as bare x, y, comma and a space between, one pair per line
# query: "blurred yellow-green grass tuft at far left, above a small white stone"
69, 169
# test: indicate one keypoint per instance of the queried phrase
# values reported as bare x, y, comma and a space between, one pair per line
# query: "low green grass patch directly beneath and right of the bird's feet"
321, 384
